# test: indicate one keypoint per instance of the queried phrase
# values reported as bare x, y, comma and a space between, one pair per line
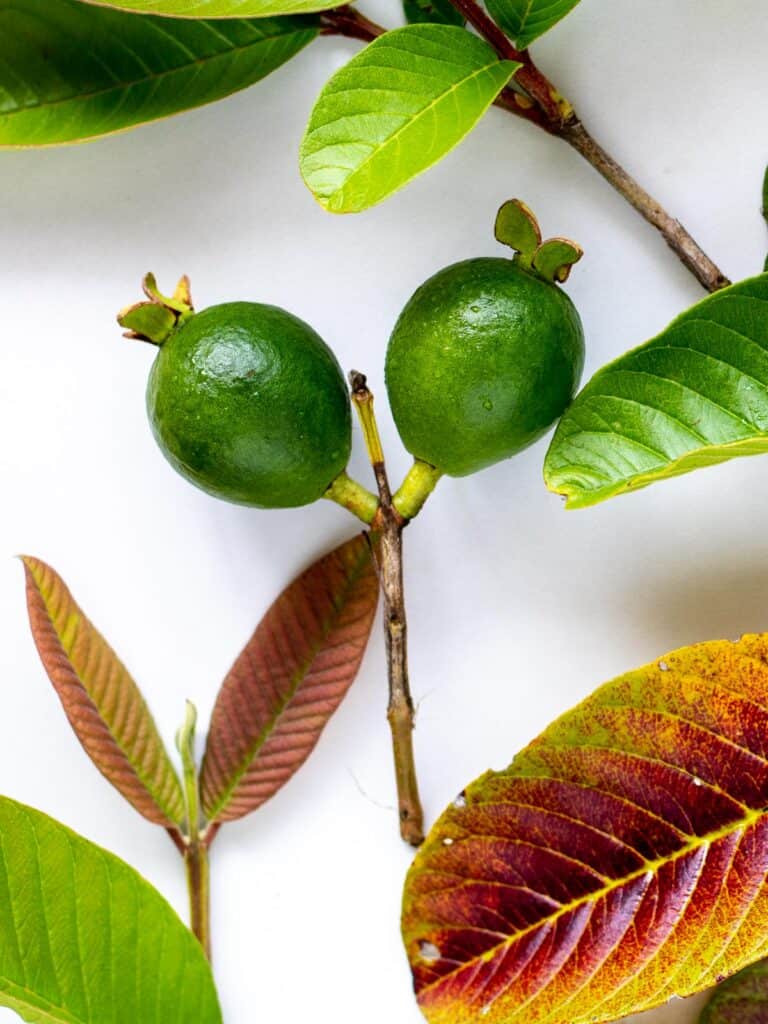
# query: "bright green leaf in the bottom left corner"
87, 941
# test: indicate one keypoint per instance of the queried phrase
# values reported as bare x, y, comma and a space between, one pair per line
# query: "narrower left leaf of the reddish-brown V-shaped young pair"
102, 702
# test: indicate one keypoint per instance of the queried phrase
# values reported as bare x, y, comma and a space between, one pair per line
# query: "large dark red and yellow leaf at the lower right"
616, 864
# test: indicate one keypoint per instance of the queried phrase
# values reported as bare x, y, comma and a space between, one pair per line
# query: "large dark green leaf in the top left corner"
71, 72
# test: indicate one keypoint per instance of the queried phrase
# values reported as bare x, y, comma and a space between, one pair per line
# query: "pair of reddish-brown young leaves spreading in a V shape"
271, 710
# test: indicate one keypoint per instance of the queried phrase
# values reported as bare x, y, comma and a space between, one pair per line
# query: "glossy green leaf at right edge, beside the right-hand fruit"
695, 396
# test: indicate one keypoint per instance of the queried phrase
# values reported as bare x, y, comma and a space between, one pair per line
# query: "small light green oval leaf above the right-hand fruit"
398, 108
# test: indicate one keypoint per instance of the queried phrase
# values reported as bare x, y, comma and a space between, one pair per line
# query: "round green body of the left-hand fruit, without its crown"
249, 404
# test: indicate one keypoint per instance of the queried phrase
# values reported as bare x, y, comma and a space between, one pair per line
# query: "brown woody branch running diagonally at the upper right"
542, 104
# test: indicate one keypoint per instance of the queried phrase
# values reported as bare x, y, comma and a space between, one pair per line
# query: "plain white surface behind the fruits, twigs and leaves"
518, 609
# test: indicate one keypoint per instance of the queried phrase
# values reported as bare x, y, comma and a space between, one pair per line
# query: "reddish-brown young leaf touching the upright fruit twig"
288, 681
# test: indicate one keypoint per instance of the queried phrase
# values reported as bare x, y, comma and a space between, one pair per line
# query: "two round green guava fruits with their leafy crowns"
249, 403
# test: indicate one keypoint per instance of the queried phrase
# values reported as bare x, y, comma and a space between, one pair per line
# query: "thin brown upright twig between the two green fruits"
387, 531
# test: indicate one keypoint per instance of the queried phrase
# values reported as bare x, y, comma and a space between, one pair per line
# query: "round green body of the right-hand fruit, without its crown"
484, 359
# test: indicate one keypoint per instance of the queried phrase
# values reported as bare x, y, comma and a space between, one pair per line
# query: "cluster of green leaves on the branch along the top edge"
72, 71
